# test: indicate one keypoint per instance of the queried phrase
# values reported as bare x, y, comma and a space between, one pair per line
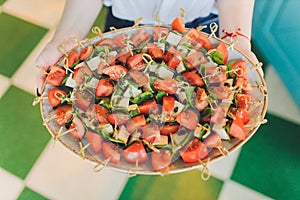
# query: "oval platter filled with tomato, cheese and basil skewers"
153, 99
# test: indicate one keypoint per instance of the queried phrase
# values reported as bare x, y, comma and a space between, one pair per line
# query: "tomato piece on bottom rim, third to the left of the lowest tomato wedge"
111, 152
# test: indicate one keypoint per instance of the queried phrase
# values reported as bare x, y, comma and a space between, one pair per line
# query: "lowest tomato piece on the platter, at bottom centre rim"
160, 160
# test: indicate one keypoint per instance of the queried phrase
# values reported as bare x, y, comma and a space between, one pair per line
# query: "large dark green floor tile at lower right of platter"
270, 161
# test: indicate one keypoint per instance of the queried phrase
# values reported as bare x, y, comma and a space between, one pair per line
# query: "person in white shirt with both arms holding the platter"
233, 17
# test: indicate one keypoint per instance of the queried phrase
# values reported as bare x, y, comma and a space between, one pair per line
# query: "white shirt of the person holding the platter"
166, 9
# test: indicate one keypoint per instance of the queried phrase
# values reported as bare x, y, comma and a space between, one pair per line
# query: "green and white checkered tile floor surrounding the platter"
33, 166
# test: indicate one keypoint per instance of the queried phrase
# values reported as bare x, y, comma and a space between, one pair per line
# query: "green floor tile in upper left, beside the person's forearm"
17, 39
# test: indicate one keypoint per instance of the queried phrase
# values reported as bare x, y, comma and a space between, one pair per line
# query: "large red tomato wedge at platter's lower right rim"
194, 152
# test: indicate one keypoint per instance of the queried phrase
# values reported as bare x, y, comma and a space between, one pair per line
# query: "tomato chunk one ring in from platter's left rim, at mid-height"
83, 99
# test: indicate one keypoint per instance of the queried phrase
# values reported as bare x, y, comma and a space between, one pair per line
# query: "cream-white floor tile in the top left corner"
43, 13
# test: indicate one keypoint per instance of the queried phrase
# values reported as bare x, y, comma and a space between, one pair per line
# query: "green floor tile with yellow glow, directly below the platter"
187, 185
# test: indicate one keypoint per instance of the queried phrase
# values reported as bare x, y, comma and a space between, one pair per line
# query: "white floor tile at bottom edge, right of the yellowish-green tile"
235, 191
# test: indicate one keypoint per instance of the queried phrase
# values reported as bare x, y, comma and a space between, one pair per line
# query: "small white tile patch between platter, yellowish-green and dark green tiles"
223, 167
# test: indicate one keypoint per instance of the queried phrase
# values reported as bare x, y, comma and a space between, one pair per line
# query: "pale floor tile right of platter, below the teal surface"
280, 101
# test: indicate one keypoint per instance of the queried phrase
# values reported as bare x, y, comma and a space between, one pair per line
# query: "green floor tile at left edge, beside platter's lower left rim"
22, 136
